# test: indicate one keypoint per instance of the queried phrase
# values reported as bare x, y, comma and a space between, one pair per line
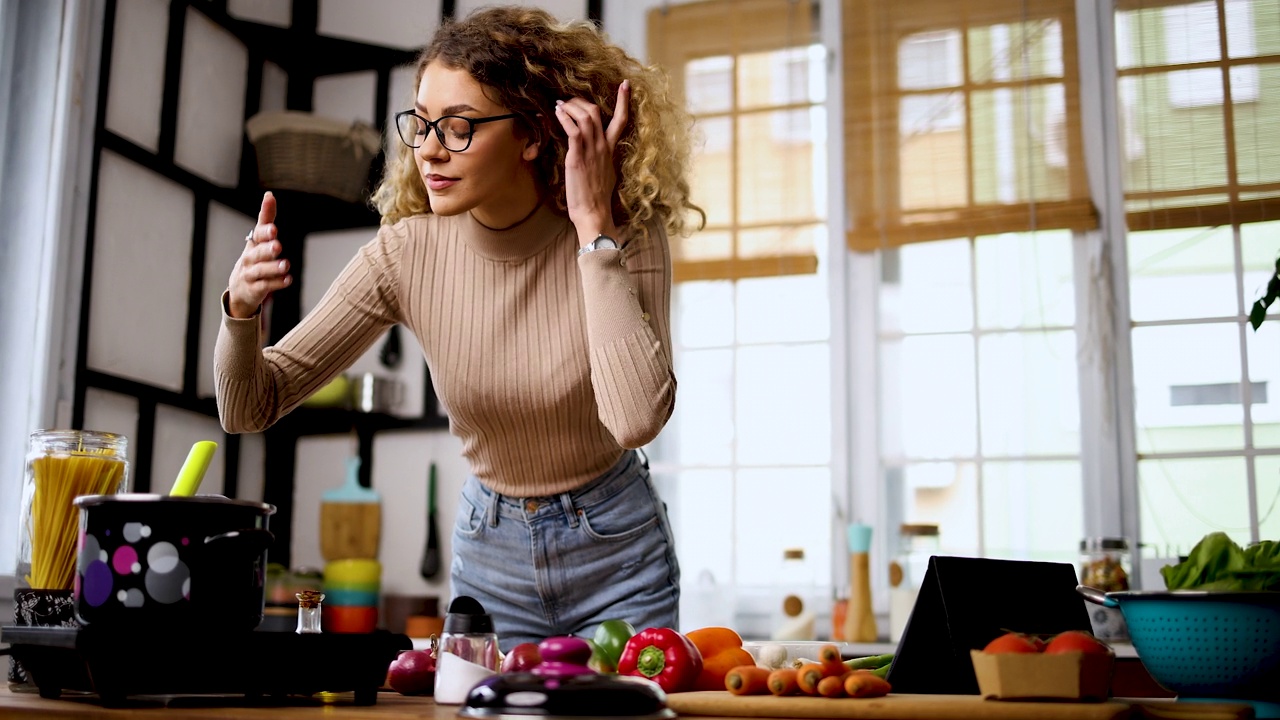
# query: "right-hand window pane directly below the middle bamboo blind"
1026, 280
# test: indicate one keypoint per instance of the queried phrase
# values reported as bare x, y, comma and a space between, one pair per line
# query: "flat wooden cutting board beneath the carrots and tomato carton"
941, 708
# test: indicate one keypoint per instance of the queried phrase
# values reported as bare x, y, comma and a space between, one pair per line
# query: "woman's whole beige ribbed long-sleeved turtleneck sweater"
550, 364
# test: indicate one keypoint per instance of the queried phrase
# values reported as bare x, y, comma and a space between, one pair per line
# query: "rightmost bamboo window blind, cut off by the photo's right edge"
1203, 136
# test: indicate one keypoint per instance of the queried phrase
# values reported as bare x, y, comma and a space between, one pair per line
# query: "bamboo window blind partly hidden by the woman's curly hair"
755, 79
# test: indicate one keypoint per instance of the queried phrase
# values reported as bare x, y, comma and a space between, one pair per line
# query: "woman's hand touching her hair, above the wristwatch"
589, 175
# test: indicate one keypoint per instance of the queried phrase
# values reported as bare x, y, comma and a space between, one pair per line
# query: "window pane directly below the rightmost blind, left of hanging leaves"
1182, 274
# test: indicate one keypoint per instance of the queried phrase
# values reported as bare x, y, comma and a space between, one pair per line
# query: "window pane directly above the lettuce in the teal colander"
1182, 502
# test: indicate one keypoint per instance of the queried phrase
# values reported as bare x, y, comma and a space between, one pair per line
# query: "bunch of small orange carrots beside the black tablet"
828, 677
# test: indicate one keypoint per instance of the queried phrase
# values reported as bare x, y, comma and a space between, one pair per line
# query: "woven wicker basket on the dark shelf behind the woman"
310, 154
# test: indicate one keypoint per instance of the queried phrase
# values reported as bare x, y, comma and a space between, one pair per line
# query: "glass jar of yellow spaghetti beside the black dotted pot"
63, 466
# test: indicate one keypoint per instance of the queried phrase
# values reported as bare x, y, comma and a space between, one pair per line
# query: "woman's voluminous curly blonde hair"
527, 60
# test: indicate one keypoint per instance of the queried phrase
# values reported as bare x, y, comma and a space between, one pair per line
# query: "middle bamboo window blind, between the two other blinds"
962, 119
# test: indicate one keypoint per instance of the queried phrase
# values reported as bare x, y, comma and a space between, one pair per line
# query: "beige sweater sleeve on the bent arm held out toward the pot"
258, 386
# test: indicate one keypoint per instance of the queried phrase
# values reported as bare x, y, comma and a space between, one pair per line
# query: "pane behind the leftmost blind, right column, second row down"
778, 170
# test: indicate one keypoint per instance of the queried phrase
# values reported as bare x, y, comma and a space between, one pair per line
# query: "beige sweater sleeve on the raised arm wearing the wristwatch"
628, 297
